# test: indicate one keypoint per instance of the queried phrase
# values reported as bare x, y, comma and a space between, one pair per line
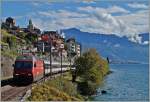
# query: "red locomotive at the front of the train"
28, 68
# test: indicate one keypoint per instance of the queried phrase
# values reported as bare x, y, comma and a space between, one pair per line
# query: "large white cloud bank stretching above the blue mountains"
96, 20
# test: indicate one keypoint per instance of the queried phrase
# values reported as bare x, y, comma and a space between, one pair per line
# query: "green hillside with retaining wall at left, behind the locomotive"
10, 47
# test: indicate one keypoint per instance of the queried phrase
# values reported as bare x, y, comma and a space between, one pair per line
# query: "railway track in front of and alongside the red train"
16, 93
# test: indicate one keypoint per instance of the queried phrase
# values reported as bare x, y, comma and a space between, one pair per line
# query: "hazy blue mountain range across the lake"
112, 46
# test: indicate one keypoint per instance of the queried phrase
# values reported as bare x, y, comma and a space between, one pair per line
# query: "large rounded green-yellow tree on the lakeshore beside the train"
90, 68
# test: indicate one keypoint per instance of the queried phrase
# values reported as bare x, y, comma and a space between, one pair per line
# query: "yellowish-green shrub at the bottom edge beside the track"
47, 93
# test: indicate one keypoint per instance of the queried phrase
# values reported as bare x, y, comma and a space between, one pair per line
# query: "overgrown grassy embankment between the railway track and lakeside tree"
58, 89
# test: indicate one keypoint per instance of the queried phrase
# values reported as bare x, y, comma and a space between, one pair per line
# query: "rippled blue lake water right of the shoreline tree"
128, 82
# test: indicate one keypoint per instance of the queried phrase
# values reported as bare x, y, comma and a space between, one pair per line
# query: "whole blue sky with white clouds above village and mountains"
120, 17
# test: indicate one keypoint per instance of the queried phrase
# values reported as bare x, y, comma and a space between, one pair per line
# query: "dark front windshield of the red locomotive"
23, 64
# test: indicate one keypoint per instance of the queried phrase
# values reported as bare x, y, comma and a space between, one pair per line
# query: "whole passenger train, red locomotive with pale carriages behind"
29, 68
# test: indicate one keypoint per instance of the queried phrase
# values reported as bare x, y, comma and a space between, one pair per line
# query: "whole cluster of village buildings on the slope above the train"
44, 41
